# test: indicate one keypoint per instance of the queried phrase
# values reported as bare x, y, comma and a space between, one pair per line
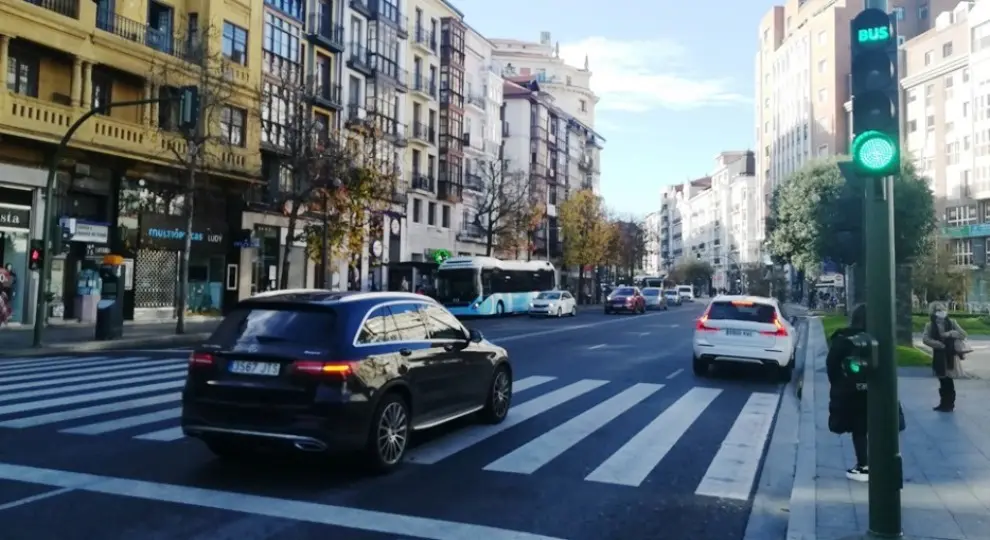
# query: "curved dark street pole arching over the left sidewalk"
46, 230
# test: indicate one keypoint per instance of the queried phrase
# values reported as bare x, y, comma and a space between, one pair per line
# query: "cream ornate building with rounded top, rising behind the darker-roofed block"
570, 88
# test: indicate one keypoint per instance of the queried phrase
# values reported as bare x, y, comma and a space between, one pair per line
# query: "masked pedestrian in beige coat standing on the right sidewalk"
945, 337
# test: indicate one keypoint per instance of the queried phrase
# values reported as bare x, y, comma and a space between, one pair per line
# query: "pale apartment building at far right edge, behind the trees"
946, 129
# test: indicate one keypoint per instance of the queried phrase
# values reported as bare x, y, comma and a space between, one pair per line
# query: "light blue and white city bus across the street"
485, 286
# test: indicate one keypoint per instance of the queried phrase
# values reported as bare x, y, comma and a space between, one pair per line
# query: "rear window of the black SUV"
292, 325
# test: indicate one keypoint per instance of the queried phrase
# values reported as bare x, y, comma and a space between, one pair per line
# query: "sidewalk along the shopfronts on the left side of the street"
62, 338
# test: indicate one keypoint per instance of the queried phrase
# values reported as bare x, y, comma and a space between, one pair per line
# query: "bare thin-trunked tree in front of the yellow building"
203, 147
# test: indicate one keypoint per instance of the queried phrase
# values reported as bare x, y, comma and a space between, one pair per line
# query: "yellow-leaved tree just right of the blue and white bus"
586, 232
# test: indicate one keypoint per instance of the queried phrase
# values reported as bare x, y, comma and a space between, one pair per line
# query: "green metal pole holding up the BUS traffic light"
886, 479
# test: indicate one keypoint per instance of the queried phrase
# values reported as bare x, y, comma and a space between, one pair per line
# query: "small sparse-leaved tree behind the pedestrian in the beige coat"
935, 275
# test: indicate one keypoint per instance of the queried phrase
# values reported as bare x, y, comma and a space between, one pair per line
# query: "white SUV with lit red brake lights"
747, 330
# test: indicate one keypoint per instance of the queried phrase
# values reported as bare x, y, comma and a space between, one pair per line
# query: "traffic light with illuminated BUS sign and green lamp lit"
876, 144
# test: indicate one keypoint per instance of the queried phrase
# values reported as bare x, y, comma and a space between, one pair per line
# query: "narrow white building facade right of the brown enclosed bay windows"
482, 142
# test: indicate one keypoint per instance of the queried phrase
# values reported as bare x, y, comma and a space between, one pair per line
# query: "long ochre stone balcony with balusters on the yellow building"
34, 118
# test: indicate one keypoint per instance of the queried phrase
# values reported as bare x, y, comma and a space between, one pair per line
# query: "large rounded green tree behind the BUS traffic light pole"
817, 216
